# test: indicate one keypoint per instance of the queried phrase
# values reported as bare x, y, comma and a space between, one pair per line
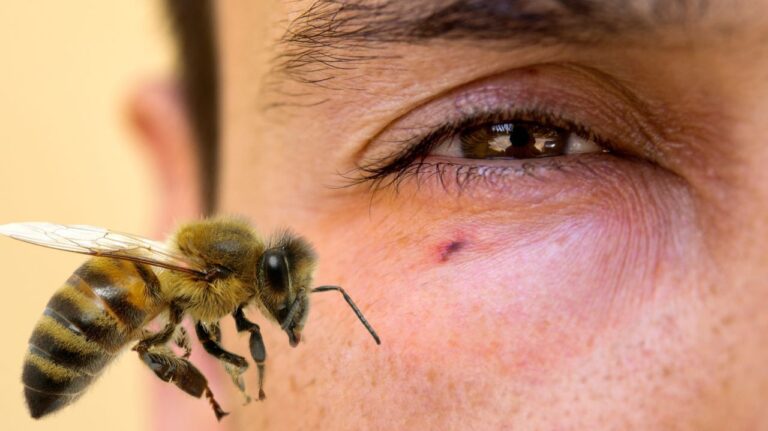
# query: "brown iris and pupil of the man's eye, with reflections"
518, 140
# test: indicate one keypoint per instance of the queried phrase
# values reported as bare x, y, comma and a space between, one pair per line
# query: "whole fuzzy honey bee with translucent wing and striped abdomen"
207, 270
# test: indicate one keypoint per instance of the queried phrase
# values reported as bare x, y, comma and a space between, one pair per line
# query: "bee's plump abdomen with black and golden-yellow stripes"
102, 306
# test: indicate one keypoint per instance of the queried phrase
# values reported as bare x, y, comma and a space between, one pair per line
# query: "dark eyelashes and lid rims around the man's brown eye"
409, 163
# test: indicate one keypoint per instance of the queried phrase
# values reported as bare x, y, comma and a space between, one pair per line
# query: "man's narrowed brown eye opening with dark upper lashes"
495, 138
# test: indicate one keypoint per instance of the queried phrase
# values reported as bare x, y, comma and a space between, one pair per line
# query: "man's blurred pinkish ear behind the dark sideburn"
158, 116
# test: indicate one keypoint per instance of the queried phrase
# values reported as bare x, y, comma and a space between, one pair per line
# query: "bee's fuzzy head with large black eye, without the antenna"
284, 274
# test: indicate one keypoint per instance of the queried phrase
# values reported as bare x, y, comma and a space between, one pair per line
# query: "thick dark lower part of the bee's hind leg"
179, 371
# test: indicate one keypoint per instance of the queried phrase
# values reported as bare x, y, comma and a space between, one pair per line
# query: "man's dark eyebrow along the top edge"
332, 36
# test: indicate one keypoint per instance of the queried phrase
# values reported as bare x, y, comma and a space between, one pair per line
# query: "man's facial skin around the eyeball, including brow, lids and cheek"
609, 290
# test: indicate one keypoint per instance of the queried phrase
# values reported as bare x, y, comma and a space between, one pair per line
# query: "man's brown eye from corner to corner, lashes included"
490, 150
